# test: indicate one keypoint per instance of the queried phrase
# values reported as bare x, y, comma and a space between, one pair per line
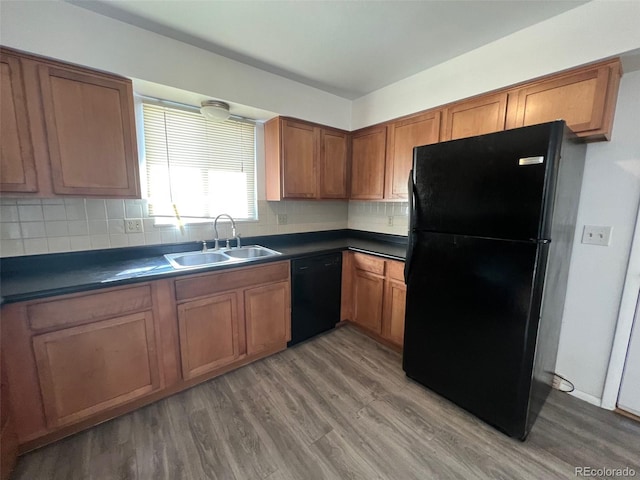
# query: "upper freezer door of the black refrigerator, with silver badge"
490, 186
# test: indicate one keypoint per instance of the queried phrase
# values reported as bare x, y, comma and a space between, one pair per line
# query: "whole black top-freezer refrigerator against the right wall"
492, 221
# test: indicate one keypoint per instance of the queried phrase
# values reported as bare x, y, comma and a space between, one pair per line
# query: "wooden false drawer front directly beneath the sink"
211, 283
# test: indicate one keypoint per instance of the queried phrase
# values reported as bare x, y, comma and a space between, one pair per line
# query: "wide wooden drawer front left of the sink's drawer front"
88, 308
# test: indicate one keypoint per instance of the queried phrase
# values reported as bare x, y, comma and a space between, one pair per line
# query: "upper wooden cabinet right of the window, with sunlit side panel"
305, 161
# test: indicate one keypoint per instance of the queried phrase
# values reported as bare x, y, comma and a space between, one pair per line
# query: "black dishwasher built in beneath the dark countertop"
315, 296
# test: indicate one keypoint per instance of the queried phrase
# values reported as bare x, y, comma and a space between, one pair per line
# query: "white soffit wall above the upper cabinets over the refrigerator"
591, 32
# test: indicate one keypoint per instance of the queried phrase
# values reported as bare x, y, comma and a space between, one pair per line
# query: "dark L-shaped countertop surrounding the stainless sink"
39, 276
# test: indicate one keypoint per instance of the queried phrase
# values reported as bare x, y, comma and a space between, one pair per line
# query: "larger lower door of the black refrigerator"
470, 327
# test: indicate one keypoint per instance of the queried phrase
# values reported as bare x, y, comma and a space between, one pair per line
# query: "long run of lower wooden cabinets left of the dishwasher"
76, 360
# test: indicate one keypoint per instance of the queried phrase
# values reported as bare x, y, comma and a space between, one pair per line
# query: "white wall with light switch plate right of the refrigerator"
610, 196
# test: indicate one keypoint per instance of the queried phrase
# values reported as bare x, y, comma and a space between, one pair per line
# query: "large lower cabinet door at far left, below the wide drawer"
87, 369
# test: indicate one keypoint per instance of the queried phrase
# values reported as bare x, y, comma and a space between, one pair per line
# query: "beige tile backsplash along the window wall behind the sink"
34, 226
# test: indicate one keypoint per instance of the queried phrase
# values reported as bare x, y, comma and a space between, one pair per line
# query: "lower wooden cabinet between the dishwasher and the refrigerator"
374, 295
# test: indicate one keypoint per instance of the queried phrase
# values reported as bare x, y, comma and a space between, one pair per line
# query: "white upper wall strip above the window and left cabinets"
74, 34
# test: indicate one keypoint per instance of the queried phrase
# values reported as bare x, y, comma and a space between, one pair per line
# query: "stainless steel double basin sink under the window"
219, 257
